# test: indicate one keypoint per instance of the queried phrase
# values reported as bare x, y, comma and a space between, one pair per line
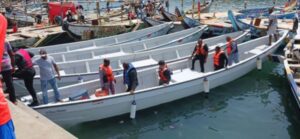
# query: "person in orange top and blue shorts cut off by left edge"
6, 124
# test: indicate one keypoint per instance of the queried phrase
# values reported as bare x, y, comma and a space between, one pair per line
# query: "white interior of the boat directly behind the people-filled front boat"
143, 59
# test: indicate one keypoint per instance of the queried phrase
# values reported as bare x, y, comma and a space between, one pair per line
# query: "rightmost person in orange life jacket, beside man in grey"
220, 59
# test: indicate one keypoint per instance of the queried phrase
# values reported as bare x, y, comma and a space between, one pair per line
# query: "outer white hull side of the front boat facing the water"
105, 108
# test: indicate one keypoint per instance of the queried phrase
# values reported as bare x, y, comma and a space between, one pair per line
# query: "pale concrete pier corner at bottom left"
29, 124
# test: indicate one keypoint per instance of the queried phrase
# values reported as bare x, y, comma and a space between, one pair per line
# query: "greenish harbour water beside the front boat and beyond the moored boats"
259, 105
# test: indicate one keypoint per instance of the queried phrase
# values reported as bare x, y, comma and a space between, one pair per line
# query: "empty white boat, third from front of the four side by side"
172, 39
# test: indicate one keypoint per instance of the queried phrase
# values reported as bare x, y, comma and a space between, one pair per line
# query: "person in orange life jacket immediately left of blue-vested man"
107, 79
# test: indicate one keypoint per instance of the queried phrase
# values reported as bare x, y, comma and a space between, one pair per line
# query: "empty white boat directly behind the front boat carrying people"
85, 70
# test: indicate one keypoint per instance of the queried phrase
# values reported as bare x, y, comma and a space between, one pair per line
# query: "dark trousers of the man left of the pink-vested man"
7, 77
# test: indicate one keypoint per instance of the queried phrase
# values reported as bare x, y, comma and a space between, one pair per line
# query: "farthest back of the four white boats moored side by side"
108, 41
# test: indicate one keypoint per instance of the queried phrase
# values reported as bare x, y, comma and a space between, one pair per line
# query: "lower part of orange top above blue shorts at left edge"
4, 110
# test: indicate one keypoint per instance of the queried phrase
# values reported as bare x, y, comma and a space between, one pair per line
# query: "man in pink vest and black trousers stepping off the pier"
26, 72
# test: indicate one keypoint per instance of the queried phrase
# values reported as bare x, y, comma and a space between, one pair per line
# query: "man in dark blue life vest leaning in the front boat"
130, 77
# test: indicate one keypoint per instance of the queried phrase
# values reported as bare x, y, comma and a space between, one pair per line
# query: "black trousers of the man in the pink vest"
28, 75
